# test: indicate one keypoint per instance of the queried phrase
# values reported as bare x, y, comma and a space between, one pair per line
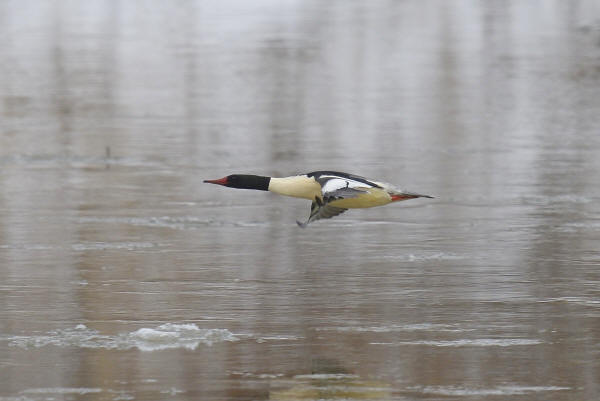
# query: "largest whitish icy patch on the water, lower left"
165, 336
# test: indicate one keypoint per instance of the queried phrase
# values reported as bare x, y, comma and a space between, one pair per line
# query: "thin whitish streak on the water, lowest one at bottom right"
499, 390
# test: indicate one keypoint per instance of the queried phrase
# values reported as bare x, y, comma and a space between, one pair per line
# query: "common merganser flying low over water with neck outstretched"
331, 192
